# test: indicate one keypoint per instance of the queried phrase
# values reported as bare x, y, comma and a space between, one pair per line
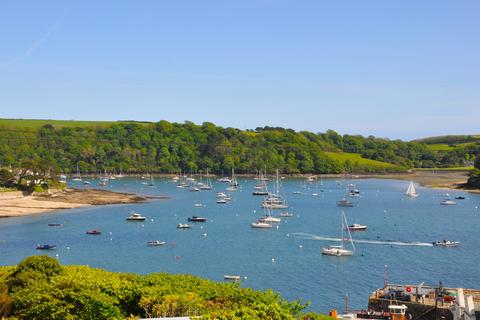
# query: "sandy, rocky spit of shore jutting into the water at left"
17, 205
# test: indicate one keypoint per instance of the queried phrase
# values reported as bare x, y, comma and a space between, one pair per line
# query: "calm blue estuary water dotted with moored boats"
226, 244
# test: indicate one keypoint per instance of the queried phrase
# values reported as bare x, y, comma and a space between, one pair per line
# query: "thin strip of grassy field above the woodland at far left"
37, 123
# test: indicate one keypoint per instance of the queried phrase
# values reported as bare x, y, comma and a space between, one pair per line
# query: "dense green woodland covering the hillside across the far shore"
165, 147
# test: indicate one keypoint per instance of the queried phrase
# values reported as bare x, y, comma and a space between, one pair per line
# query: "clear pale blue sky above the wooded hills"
398, 69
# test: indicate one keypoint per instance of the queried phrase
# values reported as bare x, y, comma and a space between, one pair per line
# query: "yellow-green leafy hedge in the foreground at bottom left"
40, 288
